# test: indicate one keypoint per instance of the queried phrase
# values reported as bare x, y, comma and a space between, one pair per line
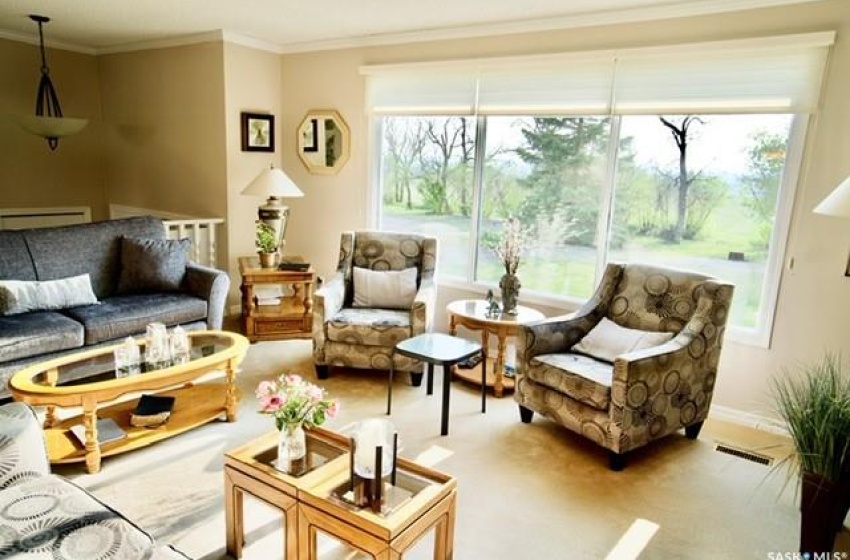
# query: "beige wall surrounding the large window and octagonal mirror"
814, 301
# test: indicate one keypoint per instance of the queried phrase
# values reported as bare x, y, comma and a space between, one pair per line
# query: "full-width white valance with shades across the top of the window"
764, 75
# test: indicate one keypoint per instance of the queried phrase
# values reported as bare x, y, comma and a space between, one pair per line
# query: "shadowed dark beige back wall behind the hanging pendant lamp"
30, 174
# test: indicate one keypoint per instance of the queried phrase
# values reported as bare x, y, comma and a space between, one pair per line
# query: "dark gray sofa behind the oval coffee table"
95, 248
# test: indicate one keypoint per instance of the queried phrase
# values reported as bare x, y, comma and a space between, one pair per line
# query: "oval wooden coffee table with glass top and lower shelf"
57, 383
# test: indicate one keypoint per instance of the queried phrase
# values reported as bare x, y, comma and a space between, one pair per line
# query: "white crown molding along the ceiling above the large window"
612, 17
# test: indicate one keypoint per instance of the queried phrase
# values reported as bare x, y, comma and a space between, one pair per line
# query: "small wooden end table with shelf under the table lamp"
291, 318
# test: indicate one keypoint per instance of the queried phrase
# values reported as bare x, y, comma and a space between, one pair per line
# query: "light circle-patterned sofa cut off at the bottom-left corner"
43, 515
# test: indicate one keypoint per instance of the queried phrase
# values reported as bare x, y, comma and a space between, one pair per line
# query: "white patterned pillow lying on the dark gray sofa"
20, 296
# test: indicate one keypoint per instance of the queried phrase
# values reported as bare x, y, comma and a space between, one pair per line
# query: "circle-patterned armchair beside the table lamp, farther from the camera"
358, 337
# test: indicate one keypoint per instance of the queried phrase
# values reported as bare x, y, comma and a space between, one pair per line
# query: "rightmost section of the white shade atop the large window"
754, 76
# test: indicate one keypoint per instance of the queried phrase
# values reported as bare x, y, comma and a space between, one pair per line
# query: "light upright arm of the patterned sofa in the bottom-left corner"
23, 453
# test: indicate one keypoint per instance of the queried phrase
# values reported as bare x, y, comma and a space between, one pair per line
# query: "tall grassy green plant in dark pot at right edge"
815, 404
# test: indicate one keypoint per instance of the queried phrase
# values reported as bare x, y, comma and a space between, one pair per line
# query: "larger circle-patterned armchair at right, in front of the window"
645, 394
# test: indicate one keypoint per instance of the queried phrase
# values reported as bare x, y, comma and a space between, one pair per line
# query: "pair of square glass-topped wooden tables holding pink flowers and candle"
309, 505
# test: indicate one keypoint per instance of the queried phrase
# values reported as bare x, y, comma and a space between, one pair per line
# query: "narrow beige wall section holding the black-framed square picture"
252, 84
